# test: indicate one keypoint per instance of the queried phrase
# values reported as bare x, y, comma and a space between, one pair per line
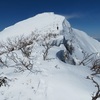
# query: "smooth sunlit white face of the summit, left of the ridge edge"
41, 24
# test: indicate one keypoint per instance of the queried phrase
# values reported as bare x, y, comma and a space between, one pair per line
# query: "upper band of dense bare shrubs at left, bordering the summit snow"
18, 43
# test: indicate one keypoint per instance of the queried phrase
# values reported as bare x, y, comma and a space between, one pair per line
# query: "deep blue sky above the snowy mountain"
82, 14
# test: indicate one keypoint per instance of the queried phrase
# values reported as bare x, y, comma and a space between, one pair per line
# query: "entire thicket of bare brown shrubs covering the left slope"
18, 51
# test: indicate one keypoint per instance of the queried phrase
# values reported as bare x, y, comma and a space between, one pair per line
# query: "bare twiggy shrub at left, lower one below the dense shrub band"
20, 63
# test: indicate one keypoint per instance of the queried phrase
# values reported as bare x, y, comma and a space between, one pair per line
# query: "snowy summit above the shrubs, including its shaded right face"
46, 23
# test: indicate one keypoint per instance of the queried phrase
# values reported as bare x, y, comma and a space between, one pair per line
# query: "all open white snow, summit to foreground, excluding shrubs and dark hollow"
55, 80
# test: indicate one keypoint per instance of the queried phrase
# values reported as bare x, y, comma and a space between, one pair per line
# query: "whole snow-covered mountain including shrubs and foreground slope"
41, 59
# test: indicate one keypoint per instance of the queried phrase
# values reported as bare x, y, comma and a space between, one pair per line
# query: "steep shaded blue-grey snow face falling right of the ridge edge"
82, 44
